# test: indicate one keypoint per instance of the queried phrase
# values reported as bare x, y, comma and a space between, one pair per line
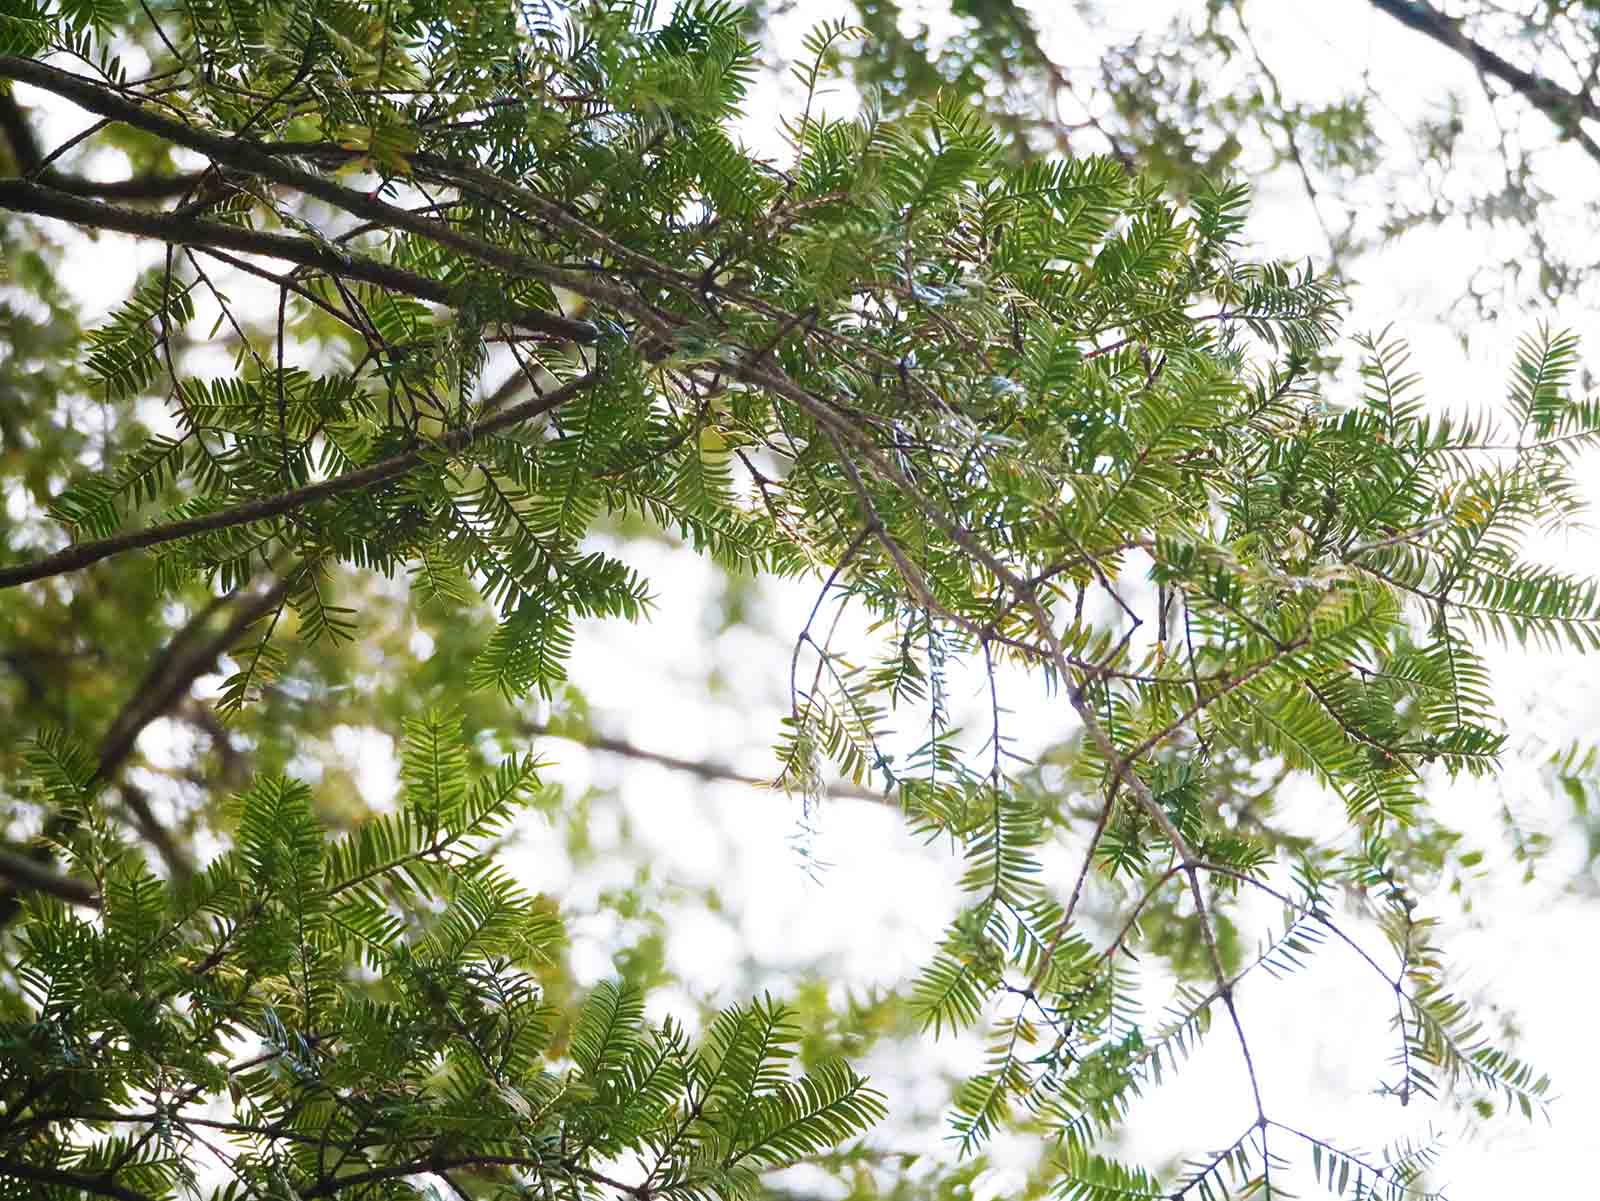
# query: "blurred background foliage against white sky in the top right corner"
1492, 137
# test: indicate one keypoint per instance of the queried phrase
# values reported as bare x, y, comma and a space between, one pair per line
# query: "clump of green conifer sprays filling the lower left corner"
383, 984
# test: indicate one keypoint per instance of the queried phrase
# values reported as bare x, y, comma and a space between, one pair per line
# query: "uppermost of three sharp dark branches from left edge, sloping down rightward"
257, 161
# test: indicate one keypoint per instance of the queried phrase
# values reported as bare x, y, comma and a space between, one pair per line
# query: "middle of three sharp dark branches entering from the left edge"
182, 231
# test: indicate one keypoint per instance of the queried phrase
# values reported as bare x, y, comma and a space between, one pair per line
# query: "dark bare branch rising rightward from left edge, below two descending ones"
86, 554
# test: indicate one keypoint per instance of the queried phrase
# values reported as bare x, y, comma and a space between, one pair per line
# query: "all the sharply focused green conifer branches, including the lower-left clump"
1031, 415
